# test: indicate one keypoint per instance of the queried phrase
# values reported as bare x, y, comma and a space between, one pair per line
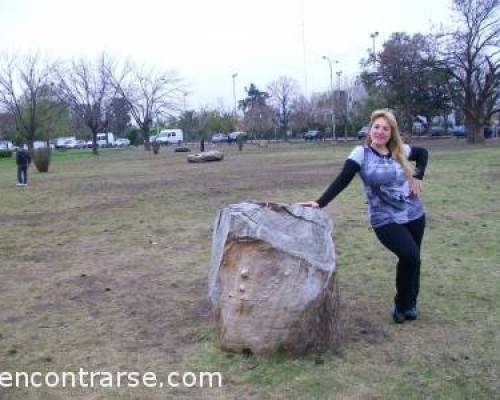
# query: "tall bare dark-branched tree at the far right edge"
472, 58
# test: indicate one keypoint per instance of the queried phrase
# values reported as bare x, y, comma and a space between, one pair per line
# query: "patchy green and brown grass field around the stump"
104, 261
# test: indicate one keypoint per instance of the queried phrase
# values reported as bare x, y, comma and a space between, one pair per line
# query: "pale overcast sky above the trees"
207, 41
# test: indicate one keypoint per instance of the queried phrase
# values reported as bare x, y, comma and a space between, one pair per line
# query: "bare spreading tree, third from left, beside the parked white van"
149, 93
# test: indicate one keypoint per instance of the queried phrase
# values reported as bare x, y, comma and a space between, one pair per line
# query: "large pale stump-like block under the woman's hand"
272, 279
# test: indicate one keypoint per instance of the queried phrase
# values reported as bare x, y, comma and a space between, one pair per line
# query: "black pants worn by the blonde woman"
404, 240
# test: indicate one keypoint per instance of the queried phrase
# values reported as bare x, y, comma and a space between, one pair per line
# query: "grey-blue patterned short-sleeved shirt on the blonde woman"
386, 187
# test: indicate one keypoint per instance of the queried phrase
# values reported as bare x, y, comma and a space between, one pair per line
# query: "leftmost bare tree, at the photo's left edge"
25, 93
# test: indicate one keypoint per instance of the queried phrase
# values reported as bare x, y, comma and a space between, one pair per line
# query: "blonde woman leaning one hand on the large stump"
393, 189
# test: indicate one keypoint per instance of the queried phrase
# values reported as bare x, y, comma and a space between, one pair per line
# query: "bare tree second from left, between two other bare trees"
85, 86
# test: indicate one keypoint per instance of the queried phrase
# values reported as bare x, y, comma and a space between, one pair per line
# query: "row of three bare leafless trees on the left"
42, 99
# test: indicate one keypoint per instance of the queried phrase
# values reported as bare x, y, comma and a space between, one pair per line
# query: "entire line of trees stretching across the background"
414, 75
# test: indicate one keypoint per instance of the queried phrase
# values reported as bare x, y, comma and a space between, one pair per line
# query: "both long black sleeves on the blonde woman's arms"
351, 167
